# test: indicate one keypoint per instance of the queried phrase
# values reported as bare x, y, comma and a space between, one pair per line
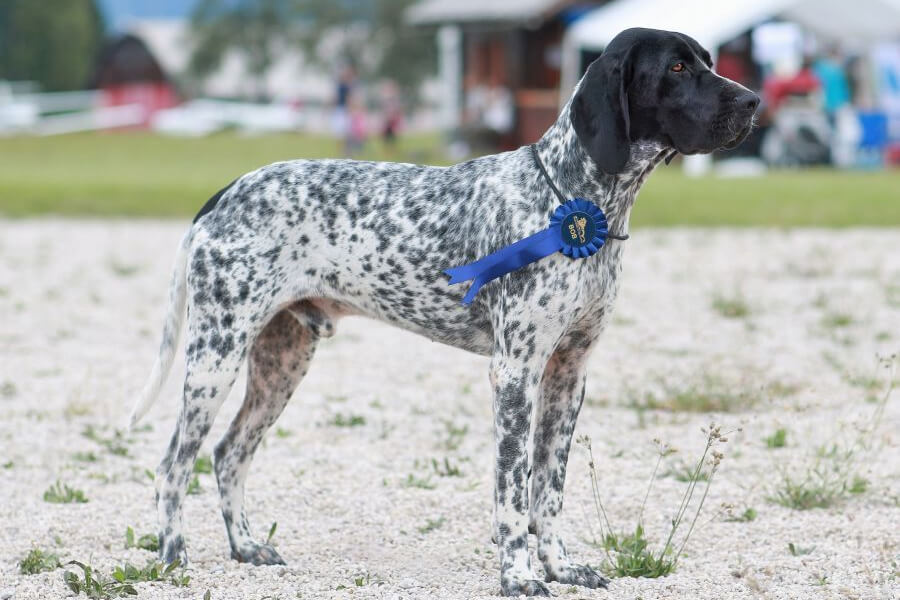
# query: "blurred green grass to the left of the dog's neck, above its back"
141, 174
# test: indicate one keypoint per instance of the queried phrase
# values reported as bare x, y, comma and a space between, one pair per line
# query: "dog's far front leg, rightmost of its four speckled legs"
562, 393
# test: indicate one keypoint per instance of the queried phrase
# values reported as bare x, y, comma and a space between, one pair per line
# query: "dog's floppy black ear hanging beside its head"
599, 112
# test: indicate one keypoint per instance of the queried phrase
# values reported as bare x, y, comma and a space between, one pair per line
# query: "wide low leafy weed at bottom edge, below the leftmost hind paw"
121, 581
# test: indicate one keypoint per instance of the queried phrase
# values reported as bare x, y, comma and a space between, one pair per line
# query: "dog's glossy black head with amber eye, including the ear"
657, 86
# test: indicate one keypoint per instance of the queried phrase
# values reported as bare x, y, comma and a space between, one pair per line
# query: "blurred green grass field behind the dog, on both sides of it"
138, 174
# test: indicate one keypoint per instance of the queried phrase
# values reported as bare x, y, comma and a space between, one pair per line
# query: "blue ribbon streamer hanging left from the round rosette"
512, 257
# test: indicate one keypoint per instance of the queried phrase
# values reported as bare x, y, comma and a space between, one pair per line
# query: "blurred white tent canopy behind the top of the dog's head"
856, 22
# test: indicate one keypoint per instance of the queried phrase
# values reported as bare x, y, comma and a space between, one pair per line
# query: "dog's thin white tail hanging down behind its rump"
171, 331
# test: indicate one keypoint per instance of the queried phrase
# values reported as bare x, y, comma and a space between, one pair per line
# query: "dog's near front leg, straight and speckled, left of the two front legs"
516, 385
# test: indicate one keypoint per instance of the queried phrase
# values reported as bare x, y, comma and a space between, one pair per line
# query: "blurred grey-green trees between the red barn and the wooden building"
372, 35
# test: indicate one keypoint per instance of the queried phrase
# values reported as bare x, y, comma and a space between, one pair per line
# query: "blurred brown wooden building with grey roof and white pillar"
500, 63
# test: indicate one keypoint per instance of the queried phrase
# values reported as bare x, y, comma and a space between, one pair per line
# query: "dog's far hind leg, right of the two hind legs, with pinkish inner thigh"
279, 359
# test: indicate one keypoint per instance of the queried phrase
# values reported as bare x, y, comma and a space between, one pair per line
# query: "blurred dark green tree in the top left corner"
52, 42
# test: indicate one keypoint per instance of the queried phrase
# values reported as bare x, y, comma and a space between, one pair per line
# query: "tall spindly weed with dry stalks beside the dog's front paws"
629, 554
